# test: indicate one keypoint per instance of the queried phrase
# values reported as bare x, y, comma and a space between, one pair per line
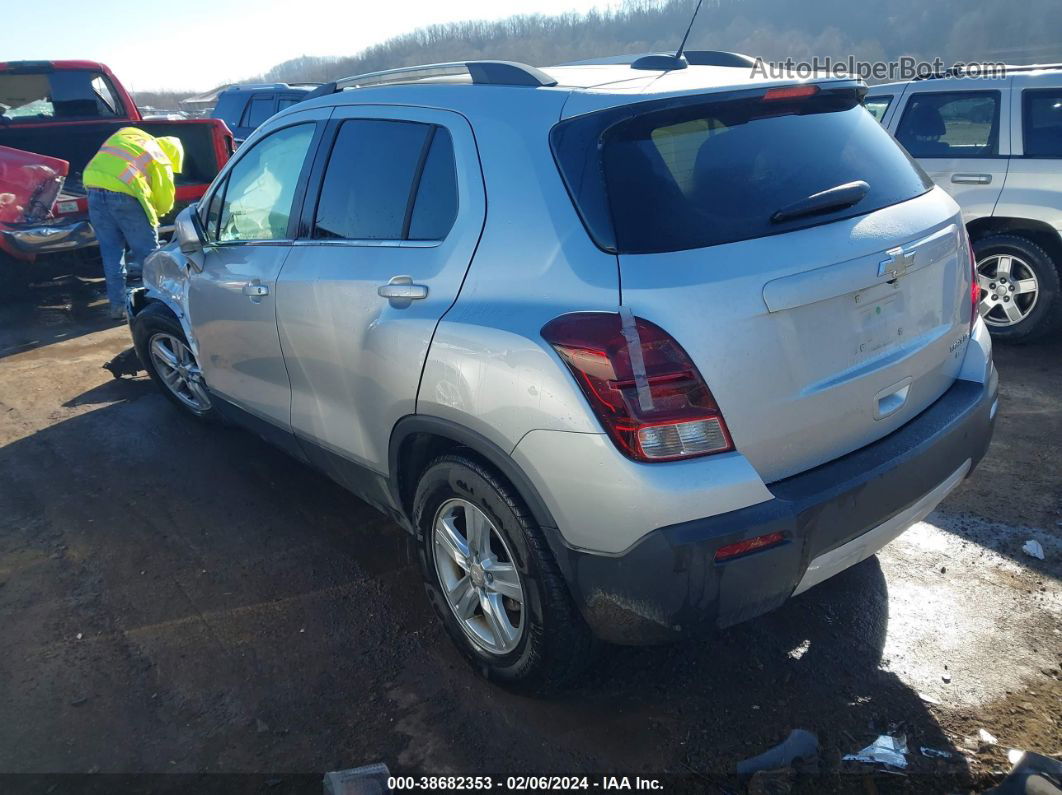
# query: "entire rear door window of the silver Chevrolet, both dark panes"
388, 181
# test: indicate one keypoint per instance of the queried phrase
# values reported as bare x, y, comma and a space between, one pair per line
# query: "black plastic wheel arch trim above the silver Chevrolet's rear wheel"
418, 440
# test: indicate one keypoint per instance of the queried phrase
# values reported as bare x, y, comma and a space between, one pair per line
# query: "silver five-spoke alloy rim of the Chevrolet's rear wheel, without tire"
478, 577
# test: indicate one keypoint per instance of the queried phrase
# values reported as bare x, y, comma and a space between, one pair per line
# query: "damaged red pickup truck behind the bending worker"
54, 117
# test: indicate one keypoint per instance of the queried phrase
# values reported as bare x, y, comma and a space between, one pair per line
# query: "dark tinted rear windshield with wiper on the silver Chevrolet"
694, 175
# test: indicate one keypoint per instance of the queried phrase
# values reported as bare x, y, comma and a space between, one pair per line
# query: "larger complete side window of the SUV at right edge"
951, 125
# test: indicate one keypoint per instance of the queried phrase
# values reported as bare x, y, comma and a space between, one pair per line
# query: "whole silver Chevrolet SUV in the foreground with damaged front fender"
633, 350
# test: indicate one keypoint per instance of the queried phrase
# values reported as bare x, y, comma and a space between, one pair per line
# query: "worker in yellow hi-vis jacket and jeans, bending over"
130, 184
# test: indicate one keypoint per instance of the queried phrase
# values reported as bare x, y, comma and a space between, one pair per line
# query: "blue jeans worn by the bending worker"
125, 236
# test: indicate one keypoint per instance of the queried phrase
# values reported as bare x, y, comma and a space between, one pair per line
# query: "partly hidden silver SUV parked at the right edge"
996, 145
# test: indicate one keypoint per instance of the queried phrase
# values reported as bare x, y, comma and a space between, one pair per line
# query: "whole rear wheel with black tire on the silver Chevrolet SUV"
494, 582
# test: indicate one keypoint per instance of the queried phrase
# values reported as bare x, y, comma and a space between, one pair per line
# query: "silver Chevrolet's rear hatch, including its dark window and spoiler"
803, 261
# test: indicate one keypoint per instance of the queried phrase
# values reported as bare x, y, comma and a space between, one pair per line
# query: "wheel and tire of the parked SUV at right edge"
1026, 265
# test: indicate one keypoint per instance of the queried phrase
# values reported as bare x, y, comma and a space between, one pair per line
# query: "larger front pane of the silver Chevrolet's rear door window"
369, 180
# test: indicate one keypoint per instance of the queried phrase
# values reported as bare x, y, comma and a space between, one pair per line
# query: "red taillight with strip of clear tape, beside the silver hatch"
641, 385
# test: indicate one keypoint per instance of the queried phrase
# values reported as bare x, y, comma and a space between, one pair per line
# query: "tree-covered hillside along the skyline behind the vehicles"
873, 30
